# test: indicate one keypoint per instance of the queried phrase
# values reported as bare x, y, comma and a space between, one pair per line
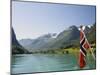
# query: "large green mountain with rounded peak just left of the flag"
67, 38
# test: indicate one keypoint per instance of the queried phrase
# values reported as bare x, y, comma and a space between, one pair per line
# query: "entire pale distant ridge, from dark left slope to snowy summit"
39, 42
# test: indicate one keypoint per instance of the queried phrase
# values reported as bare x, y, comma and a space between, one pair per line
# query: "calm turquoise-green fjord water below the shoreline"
32, 63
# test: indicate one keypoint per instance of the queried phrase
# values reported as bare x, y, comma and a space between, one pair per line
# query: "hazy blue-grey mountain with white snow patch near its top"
40, 41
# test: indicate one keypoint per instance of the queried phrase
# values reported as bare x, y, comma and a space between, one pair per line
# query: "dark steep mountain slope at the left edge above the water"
16, 47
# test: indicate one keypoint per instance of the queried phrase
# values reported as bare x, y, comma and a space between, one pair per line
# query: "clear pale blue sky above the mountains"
31, 19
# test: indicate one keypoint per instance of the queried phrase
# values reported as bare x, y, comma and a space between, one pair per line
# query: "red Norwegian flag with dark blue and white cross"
84, 45
